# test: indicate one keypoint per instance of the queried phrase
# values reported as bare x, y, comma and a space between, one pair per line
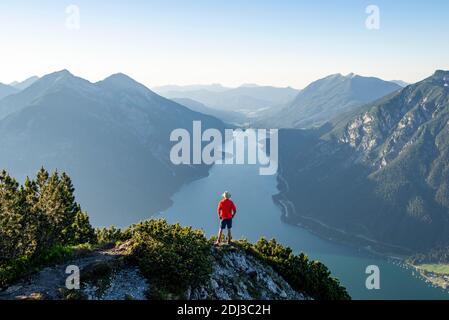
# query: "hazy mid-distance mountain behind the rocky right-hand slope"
325, 99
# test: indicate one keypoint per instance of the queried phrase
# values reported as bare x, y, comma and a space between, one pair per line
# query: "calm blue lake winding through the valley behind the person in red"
258, 215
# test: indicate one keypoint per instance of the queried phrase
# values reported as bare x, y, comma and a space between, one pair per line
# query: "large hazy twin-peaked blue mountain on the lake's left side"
111, 136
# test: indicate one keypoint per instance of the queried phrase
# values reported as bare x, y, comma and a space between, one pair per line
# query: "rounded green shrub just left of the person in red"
171, 256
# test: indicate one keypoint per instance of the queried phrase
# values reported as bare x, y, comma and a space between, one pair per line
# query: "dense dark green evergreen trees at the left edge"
36, 219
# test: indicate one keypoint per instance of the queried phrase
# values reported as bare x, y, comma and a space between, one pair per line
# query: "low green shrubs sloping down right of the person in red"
310, 277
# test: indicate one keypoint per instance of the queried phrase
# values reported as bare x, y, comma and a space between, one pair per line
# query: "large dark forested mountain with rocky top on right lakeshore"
381, 174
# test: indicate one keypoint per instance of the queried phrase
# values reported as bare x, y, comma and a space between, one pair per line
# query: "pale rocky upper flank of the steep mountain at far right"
392, 126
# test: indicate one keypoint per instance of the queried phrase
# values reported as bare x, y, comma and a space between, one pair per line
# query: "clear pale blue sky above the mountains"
283, 43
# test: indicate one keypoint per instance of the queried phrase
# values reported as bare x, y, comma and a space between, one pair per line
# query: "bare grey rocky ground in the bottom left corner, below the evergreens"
104, 275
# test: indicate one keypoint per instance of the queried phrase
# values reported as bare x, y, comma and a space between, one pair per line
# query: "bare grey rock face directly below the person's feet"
239, 276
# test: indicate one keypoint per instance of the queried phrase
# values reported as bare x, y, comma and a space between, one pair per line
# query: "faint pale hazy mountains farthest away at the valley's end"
245, 99
